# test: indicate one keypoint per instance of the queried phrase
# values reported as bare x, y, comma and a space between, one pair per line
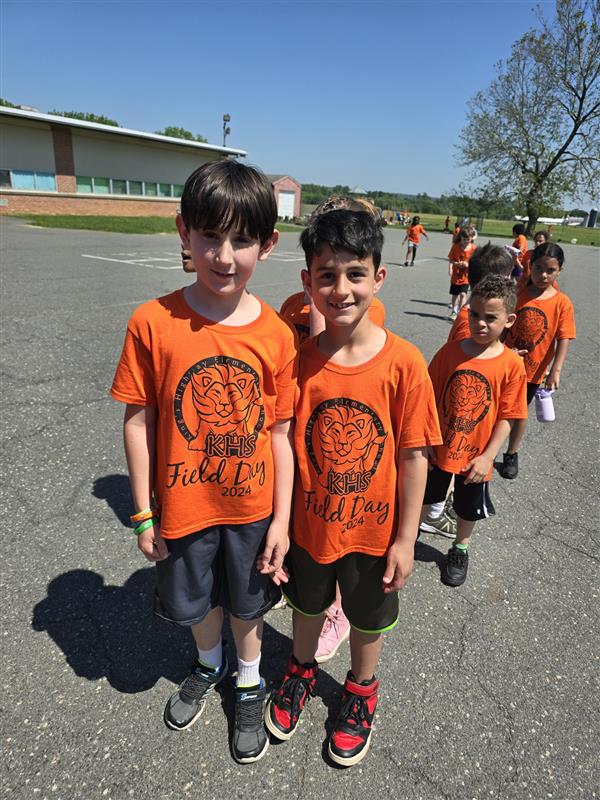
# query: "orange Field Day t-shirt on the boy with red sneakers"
350, 424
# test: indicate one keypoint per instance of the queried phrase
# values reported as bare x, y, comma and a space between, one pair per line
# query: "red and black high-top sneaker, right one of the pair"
351, 736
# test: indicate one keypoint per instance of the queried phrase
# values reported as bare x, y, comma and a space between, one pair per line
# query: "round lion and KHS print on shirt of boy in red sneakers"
344, 441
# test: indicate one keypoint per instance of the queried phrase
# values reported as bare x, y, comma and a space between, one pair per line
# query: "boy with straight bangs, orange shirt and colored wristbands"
208, 374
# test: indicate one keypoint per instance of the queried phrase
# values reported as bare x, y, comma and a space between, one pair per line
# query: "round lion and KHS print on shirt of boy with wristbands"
219, 408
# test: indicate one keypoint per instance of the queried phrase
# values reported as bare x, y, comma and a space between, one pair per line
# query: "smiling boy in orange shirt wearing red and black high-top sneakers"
364, 417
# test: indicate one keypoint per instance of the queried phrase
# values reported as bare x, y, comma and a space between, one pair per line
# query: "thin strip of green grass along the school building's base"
117, 224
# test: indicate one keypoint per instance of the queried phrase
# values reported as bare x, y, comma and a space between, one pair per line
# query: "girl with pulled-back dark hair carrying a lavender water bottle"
545, 325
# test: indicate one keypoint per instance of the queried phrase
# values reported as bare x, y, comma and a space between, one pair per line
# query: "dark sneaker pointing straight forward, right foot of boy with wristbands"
250, 741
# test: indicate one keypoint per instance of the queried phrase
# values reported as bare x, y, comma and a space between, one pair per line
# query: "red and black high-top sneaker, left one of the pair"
286, 704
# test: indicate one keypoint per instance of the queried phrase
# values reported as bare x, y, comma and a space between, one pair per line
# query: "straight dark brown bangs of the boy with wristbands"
225, 194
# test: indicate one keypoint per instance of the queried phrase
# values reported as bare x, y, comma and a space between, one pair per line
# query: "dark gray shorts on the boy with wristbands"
215, 567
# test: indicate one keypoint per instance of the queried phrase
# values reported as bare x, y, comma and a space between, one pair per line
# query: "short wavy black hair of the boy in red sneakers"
355, 231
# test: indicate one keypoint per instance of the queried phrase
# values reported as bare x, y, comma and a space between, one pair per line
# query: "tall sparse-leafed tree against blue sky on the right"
533, 136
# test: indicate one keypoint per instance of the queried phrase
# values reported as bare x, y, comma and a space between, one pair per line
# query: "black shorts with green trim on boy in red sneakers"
311, 588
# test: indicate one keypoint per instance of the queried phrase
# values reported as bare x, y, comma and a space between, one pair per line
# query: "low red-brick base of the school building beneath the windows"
22, 203
